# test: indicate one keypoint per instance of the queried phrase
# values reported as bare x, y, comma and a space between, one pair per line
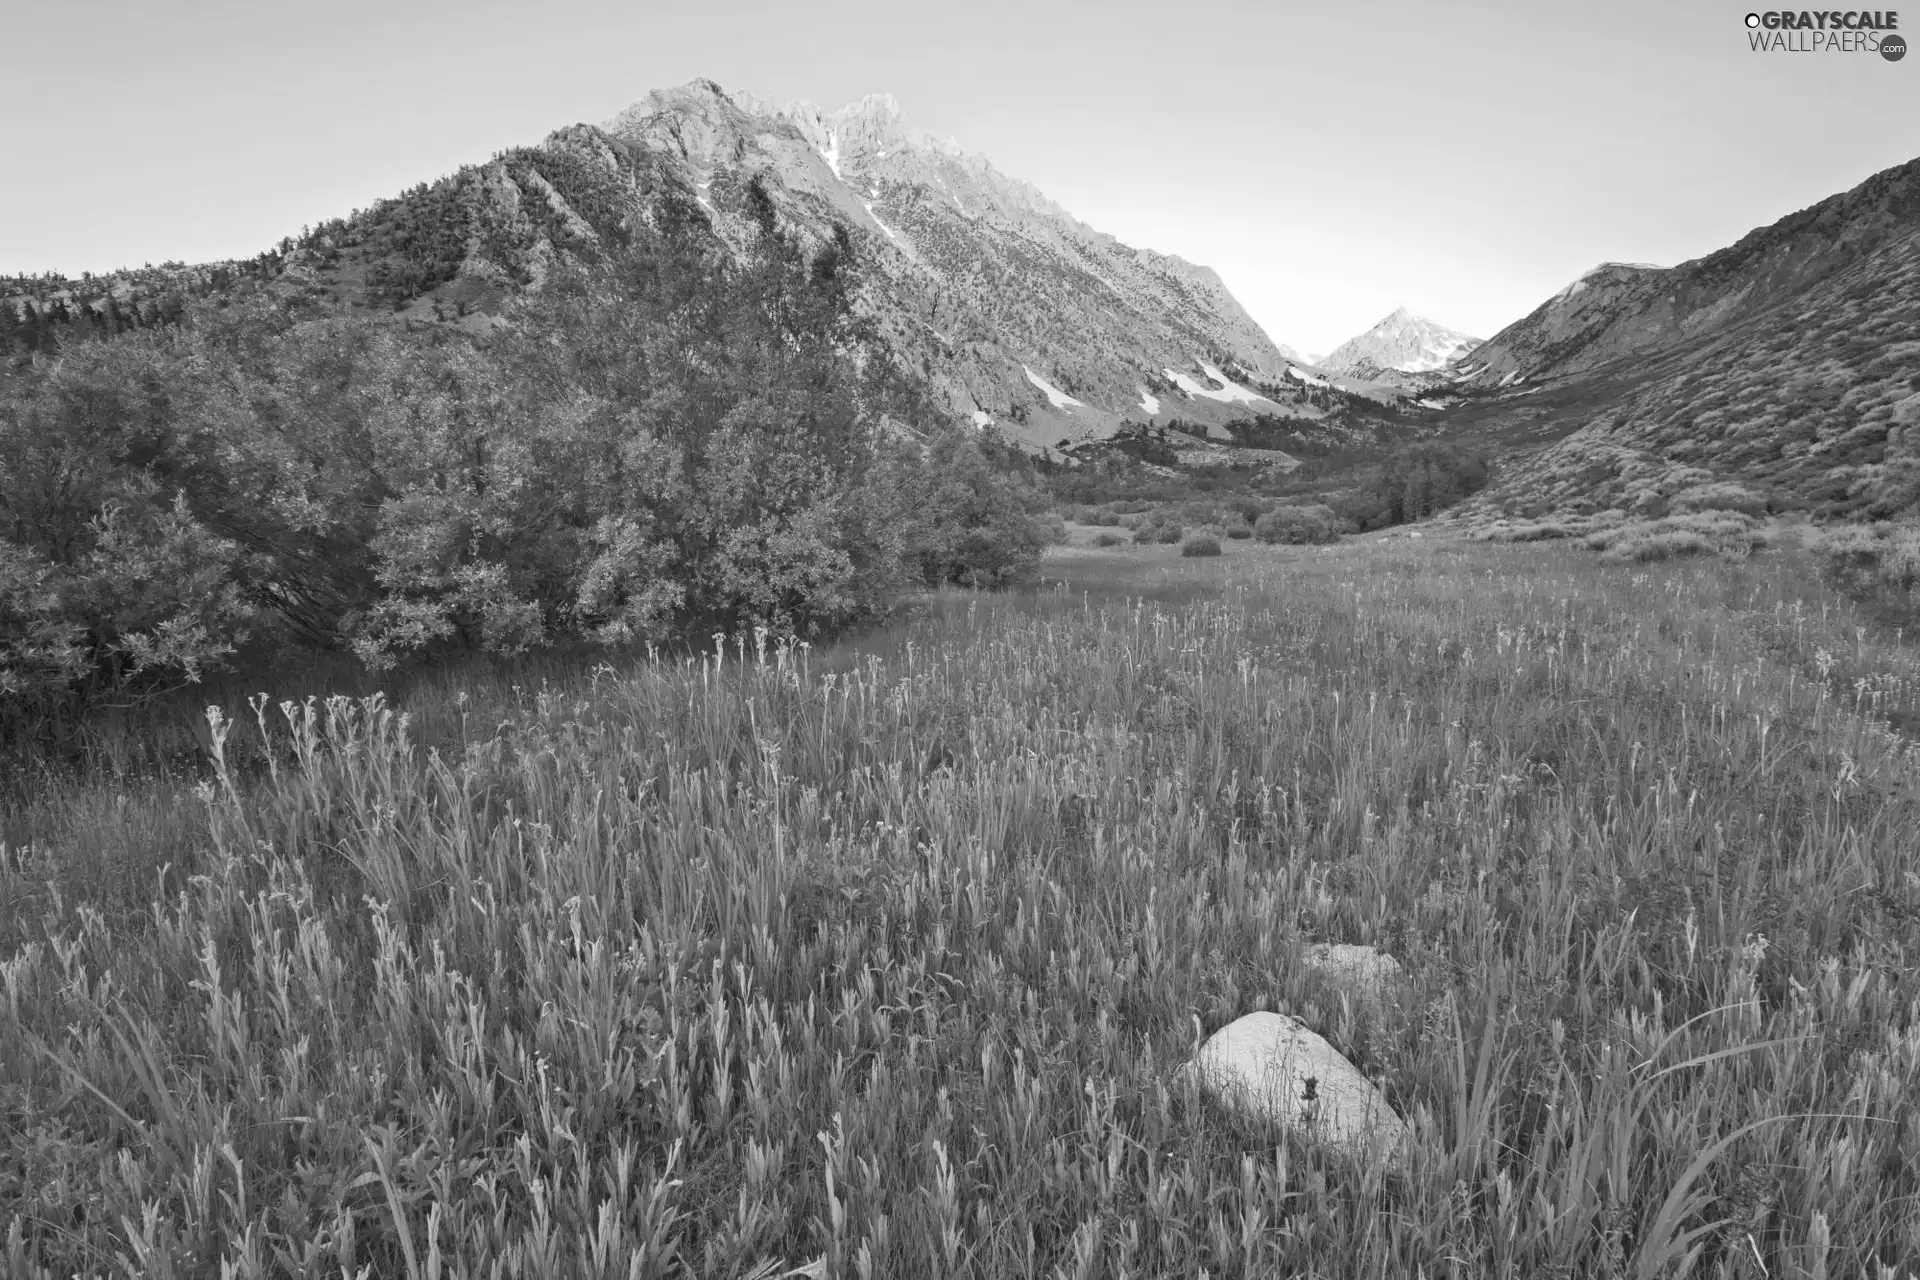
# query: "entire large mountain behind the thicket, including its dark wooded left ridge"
1003, 306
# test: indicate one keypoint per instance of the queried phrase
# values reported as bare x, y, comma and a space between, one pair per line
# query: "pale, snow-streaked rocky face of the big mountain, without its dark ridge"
1015, 312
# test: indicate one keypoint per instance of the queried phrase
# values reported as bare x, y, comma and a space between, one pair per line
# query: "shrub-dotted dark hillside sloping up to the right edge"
1787, 366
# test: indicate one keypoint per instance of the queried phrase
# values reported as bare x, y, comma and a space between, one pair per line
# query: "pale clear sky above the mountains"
1333, 162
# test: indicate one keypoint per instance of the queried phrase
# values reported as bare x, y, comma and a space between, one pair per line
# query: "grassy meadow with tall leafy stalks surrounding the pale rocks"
880, 960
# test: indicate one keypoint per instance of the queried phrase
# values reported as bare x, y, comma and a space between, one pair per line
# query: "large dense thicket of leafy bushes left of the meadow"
675, 440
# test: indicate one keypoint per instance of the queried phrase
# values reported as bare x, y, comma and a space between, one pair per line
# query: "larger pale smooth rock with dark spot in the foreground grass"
1274, 1068
